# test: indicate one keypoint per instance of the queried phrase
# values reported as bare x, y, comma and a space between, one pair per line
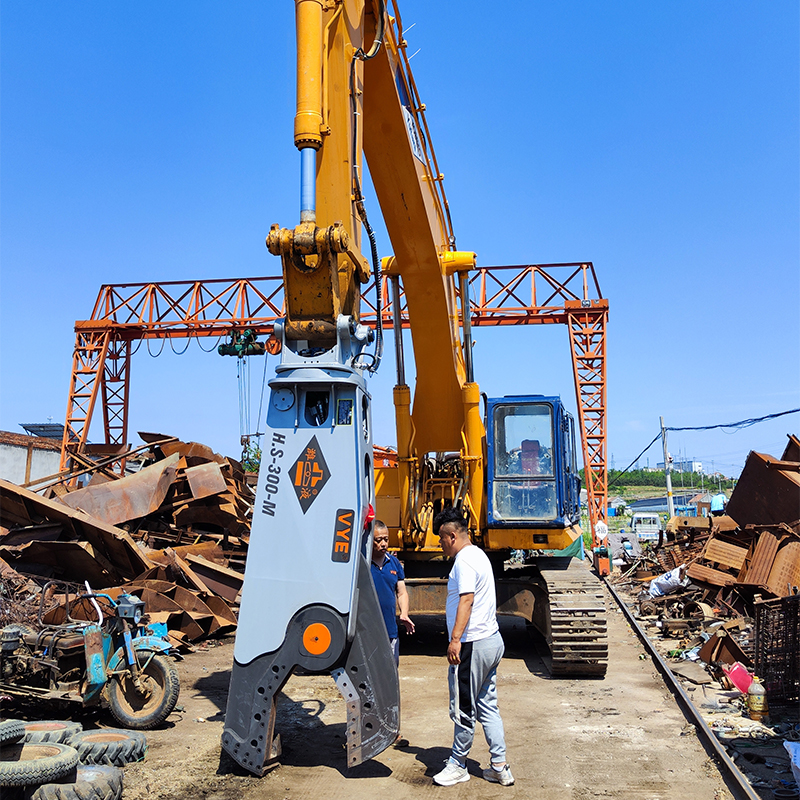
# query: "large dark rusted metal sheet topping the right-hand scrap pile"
764, 495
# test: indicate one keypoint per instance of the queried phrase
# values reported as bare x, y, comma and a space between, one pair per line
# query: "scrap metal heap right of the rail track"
725, 590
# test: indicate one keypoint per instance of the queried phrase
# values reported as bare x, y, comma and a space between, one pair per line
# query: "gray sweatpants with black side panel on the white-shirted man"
473, 697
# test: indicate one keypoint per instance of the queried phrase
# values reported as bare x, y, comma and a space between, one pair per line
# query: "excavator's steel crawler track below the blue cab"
575, 631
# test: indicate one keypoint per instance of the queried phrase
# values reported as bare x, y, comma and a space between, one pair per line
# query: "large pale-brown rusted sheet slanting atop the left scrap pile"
131, 497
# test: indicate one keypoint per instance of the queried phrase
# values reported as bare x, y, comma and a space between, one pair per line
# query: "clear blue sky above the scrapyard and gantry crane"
153, 141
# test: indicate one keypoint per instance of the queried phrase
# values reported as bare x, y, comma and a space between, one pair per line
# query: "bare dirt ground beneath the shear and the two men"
619, 737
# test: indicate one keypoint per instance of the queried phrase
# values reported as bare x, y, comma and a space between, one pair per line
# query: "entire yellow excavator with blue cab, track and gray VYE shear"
509, 464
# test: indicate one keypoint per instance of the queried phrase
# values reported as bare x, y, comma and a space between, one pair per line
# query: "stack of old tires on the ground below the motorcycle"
55, 760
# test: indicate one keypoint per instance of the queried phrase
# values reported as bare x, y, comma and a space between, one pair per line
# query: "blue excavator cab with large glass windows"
532, 469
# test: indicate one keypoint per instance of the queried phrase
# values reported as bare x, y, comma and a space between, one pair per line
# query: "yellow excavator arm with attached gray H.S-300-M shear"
308, 601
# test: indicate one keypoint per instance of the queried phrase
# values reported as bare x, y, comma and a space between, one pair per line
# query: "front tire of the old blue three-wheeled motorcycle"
137, 712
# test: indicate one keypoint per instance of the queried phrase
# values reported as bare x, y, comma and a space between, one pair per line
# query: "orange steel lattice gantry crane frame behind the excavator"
566, 294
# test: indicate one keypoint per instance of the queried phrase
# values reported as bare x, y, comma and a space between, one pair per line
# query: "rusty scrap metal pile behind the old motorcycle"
175, 532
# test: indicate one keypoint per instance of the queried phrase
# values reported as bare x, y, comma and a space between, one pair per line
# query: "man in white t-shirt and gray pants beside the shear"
474, 651
